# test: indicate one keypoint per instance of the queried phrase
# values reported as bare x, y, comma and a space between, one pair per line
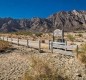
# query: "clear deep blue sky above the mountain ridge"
38, 8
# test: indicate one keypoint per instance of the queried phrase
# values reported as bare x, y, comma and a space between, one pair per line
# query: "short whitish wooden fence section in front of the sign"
63, 46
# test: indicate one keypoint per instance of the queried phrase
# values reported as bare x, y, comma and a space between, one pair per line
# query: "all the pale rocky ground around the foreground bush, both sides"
17, 60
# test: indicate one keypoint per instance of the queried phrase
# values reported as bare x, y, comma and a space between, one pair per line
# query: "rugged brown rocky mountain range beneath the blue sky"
69, 20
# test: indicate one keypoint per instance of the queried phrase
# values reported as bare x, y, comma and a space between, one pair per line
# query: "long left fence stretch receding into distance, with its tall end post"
22, 42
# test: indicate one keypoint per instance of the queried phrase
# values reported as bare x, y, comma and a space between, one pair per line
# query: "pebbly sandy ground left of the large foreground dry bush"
14, 62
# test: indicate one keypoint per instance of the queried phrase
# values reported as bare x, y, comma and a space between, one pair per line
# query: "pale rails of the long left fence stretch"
28, 43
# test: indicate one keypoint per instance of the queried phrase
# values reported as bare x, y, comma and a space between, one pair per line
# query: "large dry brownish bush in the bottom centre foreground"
40, 70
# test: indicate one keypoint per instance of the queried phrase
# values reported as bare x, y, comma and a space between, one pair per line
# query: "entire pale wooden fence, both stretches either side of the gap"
37, 44
